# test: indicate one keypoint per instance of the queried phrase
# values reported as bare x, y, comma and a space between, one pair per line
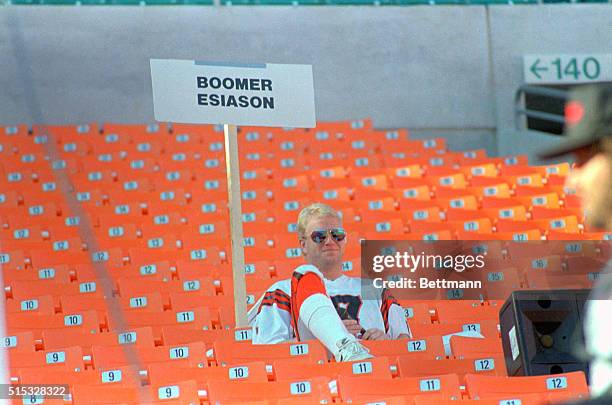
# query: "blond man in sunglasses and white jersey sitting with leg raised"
320, 302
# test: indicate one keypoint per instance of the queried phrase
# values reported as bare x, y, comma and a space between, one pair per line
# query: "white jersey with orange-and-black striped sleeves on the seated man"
271, 315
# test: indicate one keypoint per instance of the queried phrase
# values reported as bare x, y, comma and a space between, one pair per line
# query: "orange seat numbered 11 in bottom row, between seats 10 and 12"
359, 390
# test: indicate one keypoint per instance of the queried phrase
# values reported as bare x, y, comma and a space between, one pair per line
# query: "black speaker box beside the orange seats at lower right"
541, 330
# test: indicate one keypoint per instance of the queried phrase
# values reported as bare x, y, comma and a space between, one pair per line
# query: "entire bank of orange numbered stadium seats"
153, 202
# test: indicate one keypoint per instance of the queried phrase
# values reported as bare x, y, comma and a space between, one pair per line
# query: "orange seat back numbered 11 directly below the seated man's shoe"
377, 367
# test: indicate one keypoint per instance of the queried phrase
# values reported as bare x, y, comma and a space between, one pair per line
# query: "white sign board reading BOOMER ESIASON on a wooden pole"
272, 95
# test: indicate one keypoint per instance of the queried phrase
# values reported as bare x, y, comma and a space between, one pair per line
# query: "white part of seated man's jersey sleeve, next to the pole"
272, 325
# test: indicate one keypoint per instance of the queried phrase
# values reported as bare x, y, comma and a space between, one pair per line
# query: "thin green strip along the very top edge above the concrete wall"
291, 2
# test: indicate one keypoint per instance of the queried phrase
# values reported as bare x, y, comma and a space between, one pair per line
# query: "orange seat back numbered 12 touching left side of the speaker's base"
423, 368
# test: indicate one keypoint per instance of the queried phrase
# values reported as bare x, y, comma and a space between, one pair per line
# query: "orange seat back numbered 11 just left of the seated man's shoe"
229, 352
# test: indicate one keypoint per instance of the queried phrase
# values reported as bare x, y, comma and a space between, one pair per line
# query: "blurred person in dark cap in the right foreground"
589, 137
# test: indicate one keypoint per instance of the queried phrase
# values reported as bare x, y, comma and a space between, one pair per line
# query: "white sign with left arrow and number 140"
558, 69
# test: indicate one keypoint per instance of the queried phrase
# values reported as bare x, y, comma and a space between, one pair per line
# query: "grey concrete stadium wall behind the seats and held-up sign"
449, 71
